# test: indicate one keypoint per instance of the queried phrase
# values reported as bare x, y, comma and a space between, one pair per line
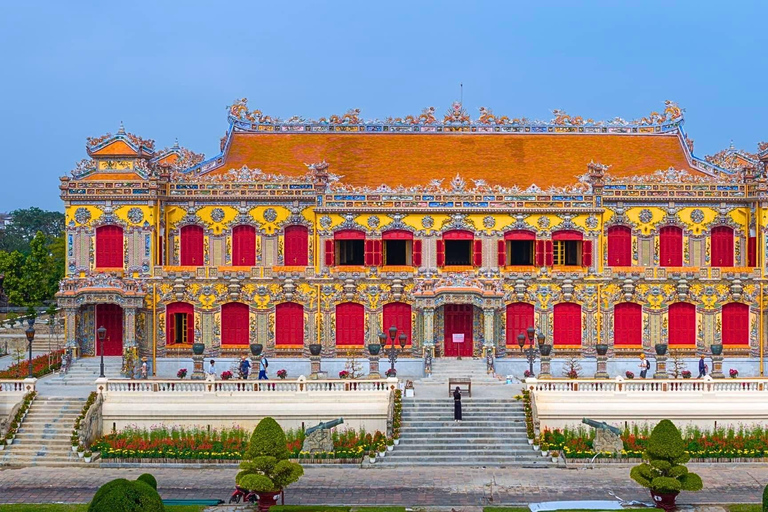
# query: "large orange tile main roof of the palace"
500, 159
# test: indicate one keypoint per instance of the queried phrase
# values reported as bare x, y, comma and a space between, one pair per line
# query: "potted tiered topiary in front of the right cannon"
663, 470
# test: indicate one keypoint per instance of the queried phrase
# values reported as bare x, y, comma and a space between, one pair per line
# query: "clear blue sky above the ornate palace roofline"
169, 69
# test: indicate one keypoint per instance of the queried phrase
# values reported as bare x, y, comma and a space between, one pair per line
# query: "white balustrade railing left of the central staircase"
301, 385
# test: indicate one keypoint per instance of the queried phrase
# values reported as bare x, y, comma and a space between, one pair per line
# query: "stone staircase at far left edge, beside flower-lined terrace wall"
43, 438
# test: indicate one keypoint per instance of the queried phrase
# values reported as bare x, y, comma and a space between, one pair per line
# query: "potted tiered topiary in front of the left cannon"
266, 469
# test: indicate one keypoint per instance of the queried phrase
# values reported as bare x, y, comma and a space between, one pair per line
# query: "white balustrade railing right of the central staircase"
706, 385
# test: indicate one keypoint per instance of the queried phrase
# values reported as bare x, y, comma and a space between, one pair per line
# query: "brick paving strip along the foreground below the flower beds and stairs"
432, 486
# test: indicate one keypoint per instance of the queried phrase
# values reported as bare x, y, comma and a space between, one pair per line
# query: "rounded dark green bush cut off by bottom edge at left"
123, 495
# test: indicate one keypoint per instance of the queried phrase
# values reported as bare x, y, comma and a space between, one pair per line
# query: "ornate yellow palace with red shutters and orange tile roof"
459, 232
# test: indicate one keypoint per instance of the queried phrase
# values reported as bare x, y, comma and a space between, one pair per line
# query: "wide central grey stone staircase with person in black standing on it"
492, 433
